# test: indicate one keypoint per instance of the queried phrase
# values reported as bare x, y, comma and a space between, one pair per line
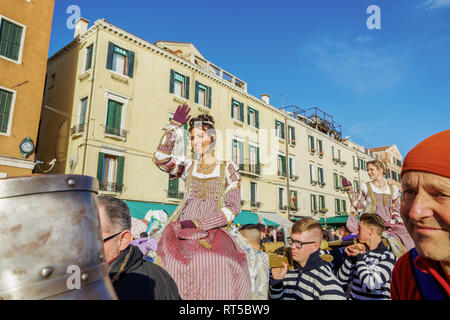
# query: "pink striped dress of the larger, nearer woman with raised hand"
206, 263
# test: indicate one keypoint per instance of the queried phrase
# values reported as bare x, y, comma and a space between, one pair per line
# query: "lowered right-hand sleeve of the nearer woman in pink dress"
232, 201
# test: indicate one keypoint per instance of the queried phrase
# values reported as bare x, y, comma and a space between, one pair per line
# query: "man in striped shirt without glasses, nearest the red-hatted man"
369, 264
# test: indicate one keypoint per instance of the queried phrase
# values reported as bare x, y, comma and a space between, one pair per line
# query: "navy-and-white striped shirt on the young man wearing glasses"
315, 281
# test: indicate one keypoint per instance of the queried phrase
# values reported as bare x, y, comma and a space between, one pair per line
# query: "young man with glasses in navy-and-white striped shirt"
313, 278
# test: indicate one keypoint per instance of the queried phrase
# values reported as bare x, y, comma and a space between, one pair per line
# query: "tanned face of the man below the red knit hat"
425, 209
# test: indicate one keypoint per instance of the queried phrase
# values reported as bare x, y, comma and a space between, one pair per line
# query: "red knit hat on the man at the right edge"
432, 155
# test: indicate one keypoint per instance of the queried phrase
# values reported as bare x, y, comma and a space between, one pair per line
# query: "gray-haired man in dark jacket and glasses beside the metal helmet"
131, 275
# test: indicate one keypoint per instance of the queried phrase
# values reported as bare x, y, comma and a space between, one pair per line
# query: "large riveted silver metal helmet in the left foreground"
51, 241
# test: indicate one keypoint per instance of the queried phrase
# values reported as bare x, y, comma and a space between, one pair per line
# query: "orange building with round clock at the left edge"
24, 39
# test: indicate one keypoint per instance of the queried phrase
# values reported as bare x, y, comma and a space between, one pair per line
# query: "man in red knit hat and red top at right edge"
424, 272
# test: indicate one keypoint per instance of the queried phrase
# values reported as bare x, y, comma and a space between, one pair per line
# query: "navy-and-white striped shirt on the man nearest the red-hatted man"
369, 274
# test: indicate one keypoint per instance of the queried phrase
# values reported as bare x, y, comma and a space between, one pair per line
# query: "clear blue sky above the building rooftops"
386, 86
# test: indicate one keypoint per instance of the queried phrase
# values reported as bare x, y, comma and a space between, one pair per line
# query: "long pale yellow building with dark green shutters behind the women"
109, 93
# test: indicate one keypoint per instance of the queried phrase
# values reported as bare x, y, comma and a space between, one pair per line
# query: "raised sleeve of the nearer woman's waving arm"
164, 157
